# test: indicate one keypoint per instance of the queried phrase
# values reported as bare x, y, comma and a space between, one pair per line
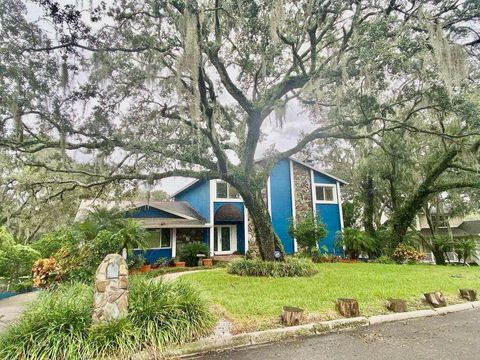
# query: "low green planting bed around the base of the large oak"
288, 268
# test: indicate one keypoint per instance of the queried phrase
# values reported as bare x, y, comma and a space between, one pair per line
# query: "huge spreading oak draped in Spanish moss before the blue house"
184, 87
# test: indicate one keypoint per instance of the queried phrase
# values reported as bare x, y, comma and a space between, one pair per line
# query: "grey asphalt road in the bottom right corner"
453, 336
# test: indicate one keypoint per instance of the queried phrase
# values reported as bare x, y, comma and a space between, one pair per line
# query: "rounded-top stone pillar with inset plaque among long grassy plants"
110, 299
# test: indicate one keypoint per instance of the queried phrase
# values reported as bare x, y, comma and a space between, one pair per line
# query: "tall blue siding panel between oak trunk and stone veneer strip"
281, 197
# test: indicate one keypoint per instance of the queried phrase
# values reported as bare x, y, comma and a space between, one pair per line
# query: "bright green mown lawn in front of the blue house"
255, 303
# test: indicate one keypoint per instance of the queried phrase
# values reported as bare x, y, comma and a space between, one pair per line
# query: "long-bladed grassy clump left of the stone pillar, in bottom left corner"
52, 327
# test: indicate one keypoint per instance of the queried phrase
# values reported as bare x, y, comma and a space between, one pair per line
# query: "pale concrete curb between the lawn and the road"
324, 327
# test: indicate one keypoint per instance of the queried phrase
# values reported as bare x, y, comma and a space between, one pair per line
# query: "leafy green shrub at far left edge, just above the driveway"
16, 261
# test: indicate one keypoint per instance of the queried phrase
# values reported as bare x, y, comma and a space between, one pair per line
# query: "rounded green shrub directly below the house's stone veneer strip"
309, 232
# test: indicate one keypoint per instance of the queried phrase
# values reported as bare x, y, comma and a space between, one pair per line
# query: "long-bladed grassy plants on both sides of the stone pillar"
58, 324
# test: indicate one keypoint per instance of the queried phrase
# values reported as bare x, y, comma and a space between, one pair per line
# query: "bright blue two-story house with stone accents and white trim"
212, 211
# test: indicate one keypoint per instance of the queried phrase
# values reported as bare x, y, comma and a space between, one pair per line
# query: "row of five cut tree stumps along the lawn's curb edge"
349, 307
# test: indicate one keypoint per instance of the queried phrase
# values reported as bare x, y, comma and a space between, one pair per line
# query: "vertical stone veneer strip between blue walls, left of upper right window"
303, 191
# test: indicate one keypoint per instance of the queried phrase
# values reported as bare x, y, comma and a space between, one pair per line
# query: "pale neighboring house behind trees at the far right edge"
454, 226
